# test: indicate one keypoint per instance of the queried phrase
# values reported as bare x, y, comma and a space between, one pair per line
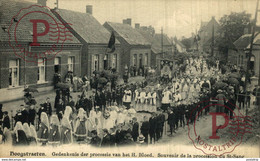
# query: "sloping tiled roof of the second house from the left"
86, 26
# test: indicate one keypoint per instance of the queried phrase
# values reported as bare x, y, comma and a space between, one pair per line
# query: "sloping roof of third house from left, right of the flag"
129, 34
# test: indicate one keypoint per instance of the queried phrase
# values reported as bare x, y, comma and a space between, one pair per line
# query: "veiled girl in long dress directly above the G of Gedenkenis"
54, 136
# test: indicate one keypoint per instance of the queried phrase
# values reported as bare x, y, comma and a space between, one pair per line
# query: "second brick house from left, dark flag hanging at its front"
94, 37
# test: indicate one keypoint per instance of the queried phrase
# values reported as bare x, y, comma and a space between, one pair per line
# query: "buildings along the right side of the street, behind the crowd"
237, 52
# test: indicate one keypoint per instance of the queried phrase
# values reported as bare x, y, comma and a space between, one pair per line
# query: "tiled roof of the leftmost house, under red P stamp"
24, 30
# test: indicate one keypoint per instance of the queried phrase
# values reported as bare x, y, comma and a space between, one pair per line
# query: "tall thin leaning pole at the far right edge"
250, 53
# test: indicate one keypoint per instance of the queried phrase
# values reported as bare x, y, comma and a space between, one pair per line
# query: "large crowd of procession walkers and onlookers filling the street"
127, 114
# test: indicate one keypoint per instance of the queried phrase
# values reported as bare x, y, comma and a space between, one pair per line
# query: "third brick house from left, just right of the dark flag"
135, 49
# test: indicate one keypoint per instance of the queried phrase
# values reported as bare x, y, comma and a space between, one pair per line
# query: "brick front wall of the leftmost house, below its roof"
28, 71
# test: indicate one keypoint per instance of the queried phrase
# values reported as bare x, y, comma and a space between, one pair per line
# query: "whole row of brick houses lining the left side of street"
85, 52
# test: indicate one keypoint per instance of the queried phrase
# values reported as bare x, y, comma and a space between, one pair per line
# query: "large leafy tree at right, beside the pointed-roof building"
231, 28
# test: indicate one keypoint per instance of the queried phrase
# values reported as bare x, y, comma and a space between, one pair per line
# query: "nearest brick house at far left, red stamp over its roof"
15, 72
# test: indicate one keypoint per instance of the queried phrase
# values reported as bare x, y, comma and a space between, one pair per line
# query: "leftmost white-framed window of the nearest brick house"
14, 73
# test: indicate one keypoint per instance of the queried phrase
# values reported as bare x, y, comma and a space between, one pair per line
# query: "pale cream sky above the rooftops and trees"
176, 17
